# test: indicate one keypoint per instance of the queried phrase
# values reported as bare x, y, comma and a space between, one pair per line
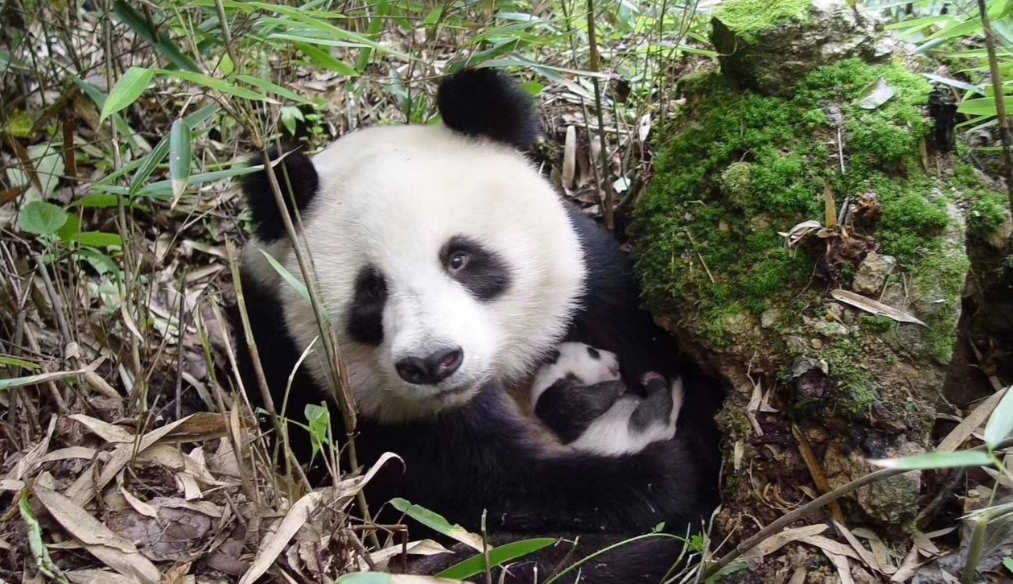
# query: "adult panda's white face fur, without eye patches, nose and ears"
384, 199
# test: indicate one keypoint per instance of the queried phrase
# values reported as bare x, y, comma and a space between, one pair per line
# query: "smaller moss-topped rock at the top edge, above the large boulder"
770, 45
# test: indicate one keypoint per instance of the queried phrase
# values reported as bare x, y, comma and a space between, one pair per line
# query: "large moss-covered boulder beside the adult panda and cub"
737, 259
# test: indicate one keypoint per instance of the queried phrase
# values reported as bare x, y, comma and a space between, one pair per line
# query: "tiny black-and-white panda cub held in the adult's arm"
579, 394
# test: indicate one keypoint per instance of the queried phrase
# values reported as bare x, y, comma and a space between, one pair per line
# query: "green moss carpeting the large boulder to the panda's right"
749, 166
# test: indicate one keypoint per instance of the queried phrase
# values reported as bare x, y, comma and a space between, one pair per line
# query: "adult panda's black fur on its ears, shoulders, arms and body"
480, 457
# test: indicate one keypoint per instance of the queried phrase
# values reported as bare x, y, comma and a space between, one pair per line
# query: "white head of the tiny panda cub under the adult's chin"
582, 364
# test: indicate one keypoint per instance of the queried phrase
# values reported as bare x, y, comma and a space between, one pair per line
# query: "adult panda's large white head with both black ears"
444, 259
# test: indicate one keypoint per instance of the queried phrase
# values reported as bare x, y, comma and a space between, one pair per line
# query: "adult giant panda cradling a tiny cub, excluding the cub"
450, 269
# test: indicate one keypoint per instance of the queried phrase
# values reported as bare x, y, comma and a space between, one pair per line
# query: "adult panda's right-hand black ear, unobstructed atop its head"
486, 103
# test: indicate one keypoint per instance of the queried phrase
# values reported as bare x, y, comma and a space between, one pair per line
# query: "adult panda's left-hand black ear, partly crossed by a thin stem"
295, 171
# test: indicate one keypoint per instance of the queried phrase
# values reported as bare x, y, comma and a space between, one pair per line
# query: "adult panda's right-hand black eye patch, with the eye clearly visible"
483, 272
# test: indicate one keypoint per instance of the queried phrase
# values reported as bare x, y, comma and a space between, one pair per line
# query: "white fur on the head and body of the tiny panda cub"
612, 433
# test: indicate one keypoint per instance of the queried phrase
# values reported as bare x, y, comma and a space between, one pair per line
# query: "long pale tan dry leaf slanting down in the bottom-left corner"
113, 550
